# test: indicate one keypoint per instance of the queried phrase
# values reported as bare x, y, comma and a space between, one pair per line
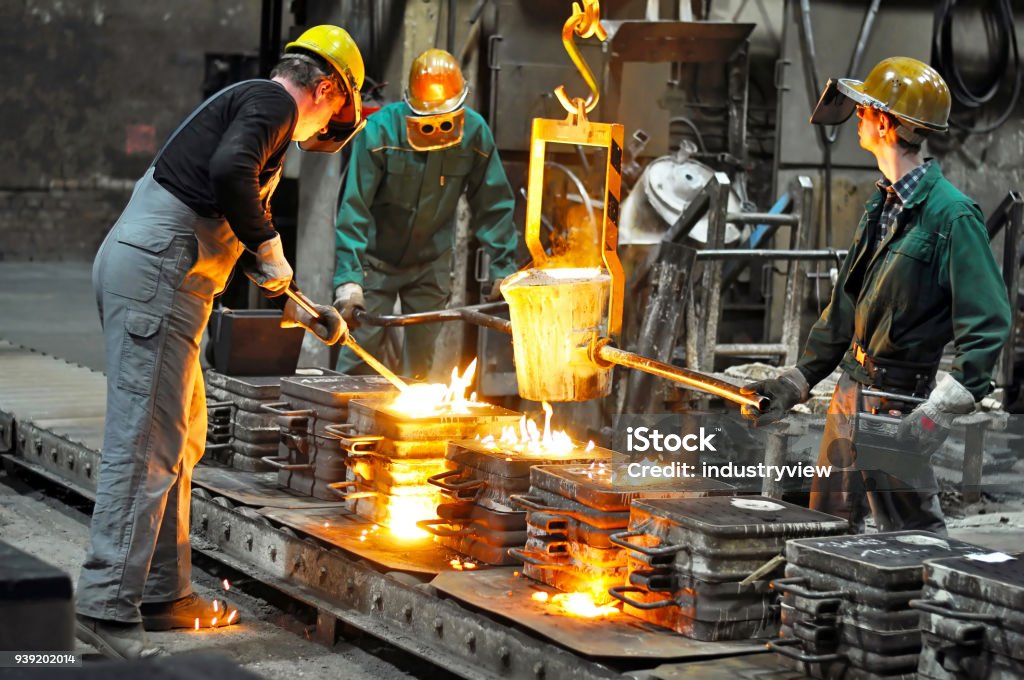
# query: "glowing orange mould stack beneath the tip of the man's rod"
393, 455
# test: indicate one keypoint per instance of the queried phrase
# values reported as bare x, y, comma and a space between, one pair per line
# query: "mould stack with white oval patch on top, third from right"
702, 567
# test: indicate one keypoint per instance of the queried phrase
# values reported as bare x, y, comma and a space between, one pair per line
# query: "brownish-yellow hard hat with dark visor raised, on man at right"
911, 91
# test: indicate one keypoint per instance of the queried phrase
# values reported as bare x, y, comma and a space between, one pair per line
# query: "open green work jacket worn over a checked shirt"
932, 281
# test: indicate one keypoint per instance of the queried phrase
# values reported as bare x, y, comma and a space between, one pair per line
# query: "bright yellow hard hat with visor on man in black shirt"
337, 49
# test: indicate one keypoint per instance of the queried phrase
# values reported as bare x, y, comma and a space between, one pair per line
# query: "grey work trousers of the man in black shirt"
155, 278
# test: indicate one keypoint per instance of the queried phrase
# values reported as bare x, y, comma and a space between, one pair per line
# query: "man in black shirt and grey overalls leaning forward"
203, 204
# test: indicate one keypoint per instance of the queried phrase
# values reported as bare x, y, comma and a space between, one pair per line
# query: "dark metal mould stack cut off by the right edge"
972, 618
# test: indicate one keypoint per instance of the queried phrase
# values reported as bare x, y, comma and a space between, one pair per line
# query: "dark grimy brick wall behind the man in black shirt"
90, 91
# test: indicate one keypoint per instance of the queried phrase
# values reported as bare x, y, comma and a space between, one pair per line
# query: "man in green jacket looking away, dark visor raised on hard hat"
920, 274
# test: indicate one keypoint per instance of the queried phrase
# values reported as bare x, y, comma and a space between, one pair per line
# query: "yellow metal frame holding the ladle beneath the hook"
577, 131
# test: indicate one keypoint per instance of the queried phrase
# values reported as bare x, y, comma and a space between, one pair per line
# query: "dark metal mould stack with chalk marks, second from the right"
846, 603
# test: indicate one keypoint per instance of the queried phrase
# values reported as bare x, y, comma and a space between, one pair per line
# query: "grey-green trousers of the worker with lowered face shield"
420, 288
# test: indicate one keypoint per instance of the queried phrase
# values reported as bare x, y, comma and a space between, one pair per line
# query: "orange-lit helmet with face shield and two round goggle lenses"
436, 96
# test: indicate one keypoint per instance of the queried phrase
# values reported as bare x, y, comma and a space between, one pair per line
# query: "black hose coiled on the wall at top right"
1005, 47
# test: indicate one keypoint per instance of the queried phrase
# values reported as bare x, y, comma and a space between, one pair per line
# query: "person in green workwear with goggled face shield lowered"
397, 220
